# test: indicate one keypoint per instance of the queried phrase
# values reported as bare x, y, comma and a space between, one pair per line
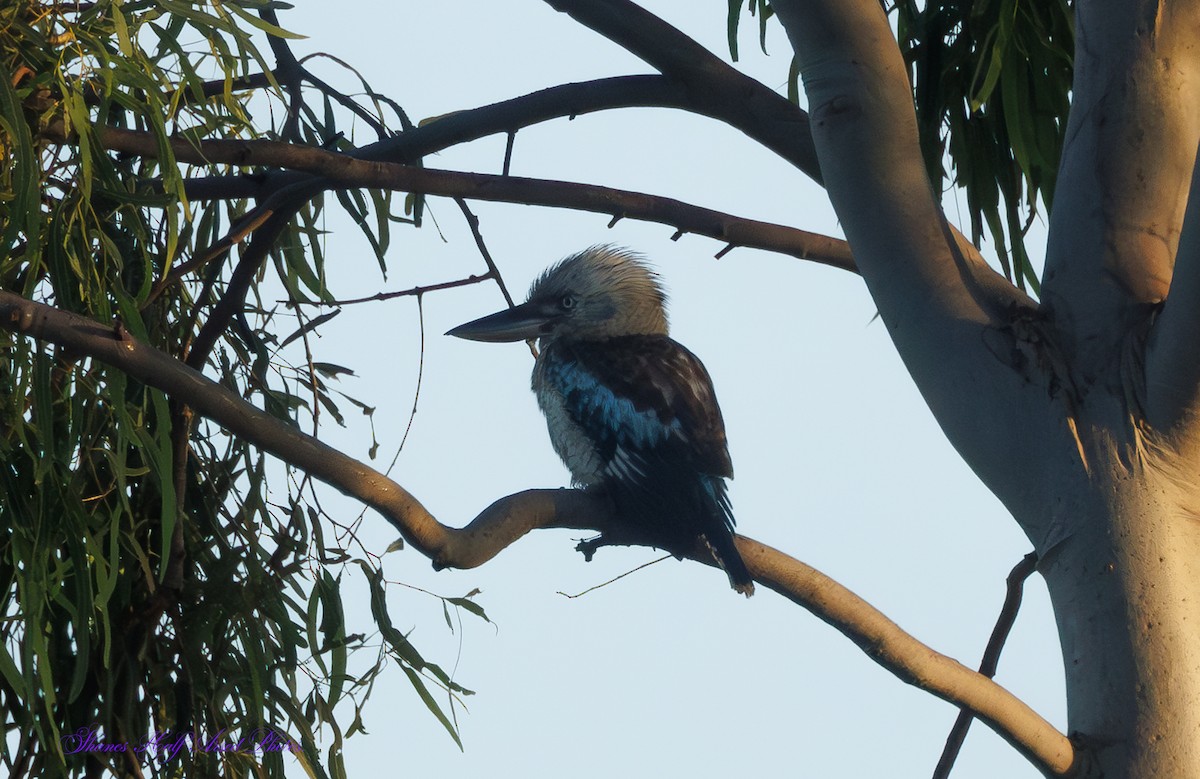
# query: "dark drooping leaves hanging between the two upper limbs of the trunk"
992, 82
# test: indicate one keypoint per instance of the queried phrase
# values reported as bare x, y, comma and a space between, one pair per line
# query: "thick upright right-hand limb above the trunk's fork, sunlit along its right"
1126, 171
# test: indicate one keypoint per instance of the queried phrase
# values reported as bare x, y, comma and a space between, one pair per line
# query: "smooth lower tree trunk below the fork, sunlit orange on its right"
1124, 573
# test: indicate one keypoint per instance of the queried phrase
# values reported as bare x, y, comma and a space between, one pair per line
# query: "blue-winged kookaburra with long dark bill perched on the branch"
631, 411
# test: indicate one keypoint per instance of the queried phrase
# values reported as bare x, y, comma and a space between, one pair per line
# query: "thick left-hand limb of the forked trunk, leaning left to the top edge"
956, 322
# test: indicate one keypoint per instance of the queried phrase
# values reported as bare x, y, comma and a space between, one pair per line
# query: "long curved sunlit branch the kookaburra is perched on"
511, 518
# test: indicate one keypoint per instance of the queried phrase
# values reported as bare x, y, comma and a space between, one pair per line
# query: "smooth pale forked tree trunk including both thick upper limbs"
1081, 412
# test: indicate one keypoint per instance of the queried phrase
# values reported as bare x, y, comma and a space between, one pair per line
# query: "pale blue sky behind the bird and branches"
667, 673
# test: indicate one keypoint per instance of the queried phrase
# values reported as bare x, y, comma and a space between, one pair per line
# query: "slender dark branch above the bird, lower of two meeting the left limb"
341, 171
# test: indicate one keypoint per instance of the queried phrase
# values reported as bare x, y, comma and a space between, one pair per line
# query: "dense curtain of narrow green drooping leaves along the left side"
161, 580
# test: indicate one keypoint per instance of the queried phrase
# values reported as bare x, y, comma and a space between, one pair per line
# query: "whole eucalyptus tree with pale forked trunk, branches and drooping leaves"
152, 582
